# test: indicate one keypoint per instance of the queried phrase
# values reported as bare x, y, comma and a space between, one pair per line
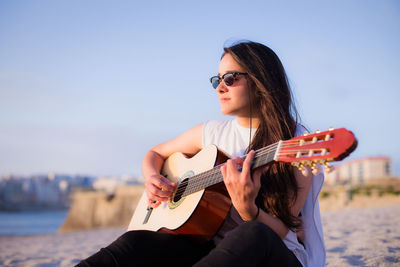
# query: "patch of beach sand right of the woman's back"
362, 236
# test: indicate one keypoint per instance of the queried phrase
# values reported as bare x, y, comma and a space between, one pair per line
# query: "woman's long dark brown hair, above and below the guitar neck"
271, 99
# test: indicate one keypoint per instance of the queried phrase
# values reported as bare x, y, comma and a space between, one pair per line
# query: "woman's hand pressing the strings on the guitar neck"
243, 186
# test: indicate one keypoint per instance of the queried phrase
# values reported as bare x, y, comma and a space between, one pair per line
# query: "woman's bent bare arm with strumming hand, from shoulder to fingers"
157, 187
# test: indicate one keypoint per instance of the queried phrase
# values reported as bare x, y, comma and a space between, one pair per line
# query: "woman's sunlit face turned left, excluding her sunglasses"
234, 99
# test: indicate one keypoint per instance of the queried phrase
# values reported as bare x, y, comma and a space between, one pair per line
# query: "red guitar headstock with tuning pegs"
318, 148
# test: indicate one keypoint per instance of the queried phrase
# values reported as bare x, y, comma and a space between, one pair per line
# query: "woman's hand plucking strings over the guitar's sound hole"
158, 189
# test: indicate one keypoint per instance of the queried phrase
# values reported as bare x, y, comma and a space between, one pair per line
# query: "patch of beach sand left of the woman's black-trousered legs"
66, 249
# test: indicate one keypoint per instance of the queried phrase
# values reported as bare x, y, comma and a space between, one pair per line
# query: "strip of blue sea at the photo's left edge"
31, 223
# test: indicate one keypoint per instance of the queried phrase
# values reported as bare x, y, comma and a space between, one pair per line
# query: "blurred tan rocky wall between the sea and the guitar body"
92, 210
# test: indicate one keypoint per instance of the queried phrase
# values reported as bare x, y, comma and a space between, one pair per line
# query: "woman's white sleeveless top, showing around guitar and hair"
233, 139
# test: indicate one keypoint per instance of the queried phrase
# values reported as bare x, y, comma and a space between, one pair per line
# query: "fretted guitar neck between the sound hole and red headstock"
213, 176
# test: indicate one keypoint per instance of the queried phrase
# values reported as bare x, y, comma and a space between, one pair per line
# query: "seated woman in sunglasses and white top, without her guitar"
269, 205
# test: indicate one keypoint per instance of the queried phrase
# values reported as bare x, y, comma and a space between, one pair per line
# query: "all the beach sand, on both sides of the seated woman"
353, 236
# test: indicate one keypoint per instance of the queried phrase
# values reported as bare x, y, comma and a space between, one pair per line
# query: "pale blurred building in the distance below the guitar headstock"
356, 172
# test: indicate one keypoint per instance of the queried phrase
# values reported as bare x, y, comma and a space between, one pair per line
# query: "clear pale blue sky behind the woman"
87, 87
